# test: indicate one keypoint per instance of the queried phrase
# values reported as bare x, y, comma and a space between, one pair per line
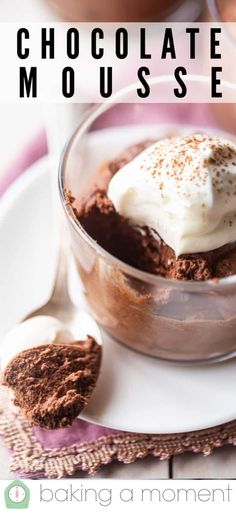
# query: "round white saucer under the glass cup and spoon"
134, 392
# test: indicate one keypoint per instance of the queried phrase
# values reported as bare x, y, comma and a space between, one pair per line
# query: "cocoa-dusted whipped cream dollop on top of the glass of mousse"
184, 188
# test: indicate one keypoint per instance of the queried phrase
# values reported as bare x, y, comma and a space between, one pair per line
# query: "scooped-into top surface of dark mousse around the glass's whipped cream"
139, 246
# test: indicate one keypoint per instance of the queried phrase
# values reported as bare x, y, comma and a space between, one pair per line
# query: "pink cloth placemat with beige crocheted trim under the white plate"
37, 453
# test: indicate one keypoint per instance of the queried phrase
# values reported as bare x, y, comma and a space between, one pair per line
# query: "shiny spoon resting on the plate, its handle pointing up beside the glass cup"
59, 320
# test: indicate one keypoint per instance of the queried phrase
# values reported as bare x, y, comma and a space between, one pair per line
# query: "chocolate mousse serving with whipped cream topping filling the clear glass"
167, 208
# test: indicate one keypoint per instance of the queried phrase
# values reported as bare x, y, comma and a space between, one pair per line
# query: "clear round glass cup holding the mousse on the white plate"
169, 319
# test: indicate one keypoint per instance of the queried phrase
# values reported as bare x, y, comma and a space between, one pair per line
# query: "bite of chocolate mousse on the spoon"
52, 383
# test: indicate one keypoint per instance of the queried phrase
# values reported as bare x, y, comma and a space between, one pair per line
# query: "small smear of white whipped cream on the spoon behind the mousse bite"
30, 333
